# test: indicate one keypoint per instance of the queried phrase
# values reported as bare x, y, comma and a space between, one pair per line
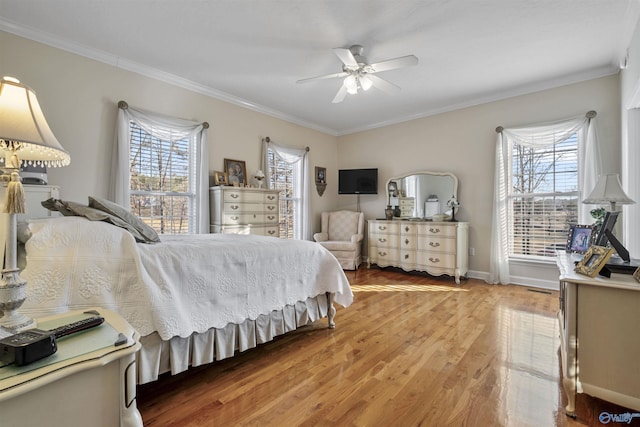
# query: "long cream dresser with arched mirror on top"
423, 235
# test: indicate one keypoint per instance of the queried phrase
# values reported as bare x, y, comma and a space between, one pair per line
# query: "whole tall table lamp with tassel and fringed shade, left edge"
25, 137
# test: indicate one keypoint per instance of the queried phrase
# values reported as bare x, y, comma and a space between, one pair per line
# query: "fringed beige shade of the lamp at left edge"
24, 129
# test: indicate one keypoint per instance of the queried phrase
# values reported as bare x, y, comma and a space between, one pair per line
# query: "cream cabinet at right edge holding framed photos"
599, 340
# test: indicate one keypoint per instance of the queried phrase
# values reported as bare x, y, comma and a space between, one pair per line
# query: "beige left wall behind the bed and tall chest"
79, 97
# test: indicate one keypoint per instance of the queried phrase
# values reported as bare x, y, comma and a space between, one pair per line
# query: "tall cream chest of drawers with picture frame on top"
239, 210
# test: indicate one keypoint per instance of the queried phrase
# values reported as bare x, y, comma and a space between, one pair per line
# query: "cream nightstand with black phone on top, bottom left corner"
89, 381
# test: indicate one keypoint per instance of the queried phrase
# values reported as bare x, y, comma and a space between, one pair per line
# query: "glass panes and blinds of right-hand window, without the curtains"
543, 197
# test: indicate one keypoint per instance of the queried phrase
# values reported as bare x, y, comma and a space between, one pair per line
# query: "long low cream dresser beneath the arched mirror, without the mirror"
435, 247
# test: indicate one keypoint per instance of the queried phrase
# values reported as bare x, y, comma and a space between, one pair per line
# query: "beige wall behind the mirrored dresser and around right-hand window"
463, 142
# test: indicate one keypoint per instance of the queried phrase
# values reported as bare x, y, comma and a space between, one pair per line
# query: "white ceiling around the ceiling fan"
252, 52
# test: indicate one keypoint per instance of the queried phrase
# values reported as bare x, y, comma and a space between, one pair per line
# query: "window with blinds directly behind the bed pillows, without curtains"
162, 179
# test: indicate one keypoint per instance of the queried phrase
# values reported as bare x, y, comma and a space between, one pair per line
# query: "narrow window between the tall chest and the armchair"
285, 177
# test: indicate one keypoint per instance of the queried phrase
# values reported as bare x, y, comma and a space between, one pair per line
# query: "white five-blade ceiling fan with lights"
358, 74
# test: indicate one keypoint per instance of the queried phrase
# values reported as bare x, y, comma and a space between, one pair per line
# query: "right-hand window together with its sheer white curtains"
541, 172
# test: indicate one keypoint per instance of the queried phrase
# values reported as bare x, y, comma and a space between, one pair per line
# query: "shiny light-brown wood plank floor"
411, 351
